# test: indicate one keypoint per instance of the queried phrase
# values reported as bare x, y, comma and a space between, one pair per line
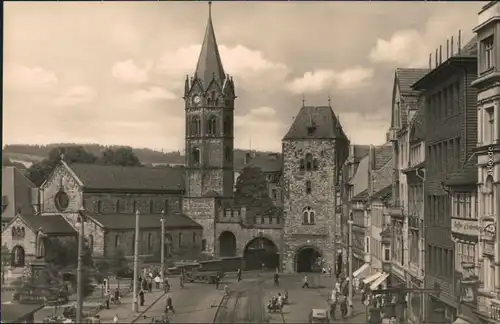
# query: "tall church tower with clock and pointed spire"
209, 104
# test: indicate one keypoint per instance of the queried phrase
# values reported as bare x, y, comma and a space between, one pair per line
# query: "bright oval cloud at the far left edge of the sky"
30, 78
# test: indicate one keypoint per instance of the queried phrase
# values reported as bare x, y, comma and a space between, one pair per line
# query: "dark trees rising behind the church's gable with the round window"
39, 172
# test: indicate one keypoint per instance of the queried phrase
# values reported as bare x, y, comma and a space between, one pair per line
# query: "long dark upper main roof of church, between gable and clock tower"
103, 177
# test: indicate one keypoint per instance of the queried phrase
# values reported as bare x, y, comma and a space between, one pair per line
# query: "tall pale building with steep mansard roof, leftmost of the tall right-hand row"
405, 101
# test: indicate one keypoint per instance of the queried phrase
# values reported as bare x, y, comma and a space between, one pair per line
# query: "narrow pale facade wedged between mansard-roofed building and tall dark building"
415, 178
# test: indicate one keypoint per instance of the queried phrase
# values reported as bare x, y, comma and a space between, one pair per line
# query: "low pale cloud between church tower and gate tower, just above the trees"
257, 129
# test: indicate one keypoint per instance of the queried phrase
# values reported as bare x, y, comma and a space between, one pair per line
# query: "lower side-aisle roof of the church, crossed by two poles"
127, 221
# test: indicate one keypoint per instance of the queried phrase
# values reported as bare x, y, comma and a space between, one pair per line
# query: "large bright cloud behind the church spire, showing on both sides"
250, 68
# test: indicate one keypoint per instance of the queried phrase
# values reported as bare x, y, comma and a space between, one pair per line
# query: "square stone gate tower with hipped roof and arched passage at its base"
313, 150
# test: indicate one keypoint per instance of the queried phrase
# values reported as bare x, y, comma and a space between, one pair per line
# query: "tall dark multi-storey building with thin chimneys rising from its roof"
451, 131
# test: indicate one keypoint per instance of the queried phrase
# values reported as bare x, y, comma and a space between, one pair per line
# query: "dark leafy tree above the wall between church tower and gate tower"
252, 191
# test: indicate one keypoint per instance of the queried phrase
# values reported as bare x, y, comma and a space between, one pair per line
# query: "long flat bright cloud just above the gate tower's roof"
321, 80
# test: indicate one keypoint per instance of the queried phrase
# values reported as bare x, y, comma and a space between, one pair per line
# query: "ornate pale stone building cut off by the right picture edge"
488, 158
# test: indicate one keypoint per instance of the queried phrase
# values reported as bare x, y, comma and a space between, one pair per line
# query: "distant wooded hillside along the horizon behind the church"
29, 154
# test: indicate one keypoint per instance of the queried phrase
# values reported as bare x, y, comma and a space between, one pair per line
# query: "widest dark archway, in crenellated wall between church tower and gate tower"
260, 252
